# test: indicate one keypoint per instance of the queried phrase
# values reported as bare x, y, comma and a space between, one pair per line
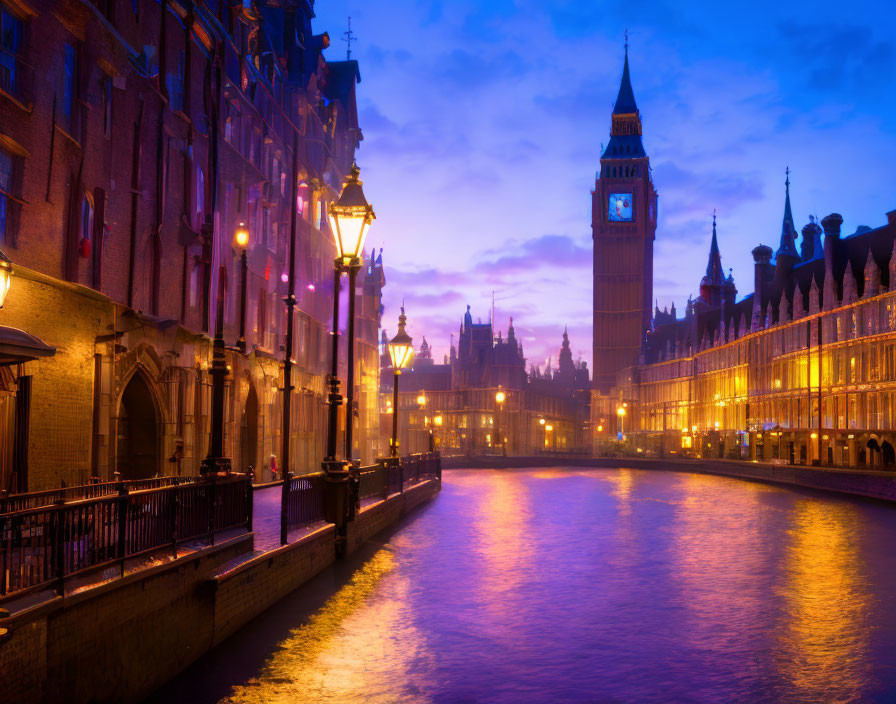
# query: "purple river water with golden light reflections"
587, 586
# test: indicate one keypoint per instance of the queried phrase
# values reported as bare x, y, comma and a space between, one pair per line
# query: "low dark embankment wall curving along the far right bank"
854, 482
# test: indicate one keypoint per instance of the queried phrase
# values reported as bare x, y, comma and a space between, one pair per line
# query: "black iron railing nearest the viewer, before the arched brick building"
42, 547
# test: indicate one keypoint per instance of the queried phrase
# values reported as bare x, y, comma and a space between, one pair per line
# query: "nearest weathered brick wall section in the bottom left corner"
117, 642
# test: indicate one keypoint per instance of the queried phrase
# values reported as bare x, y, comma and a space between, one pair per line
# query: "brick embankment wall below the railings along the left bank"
122, 641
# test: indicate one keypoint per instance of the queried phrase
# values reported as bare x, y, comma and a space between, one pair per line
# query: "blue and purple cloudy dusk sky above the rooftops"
483, 123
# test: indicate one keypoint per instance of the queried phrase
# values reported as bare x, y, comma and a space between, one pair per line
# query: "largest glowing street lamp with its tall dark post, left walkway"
350, 219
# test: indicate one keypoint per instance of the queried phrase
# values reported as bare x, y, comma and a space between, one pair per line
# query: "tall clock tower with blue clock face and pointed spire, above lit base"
623, 223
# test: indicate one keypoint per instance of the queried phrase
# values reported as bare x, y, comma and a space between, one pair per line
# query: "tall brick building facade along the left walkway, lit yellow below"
115, 118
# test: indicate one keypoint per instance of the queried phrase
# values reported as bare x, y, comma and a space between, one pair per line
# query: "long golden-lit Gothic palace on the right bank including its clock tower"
800, 369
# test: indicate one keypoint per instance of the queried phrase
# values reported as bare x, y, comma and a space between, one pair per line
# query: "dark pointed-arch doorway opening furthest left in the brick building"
138, 431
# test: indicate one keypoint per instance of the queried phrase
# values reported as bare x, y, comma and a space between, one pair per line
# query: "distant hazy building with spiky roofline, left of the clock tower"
460, 410
